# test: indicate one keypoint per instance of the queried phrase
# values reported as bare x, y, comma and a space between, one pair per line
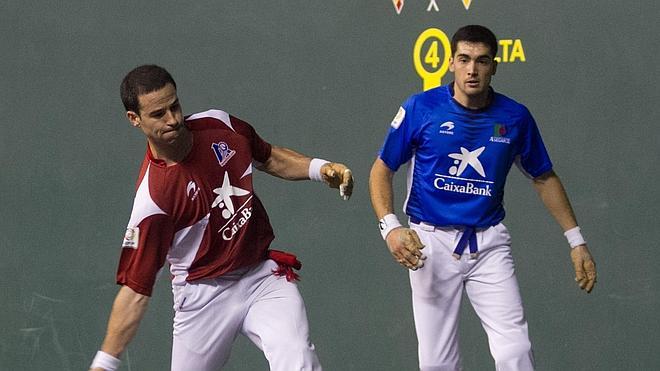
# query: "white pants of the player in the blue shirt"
492, 288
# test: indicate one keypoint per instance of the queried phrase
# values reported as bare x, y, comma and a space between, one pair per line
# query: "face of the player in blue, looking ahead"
473, 68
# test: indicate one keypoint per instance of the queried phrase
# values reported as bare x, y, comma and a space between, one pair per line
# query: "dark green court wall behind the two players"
325, 78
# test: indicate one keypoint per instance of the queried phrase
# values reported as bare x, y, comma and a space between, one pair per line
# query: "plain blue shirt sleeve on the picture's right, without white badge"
533, 156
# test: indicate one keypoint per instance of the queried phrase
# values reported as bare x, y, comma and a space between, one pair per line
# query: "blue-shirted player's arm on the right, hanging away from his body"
552, 193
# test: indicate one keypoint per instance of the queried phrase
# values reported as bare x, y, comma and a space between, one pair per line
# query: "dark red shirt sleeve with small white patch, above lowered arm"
140, 261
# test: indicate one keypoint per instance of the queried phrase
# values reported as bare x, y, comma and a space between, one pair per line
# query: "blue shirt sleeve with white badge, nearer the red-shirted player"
401, 138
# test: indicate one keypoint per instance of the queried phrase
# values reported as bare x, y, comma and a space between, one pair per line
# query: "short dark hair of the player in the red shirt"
142, 80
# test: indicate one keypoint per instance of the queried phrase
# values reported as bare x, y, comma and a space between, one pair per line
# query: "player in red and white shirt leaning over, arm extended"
195, 208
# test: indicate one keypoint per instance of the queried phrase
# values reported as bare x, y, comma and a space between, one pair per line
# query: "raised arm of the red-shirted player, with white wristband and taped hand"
288, 164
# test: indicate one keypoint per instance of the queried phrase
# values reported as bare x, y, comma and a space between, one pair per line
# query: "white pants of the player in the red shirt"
254, 302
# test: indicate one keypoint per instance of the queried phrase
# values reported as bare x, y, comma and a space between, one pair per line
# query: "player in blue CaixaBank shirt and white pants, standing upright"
461, 140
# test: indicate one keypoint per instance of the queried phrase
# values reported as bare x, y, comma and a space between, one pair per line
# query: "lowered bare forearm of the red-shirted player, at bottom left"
127, 312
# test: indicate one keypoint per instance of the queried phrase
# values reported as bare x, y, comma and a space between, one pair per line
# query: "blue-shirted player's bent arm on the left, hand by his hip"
403, 243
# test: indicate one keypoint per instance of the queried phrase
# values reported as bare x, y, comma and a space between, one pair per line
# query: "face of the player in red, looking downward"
160, 116
